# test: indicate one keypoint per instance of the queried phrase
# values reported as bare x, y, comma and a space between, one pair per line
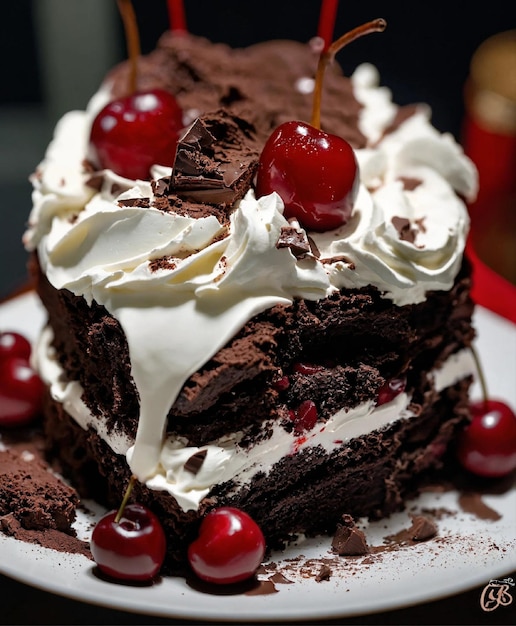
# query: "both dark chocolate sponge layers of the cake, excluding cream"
354, 342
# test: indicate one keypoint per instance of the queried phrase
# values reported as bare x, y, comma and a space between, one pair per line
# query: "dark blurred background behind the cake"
423, 55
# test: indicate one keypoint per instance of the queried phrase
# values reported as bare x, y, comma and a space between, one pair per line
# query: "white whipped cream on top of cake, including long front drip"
405, 239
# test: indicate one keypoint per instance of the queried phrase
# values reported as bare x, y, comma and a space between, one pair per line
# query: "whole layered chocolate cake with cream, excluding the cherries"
219, 351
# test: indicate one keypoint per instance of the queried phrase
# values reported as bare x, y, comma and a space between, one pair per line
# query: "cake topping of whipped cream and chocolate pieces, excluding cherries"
183, 268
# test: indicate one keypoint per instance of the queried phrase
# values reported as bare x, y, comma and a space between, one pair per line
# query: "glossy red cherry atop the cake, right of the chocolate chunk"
315, 173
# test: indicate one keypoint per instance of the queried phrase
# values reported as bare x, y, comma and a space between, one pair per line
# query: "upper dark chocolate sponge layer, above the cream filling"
356, 340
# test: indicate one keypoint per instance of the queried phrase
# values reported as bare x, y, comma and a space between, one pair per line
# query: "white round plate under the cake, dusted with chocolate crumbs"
468, 551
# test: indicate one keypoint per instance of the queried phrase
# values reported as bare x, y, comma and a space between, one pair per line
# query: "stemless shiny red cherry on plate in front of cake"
229, 548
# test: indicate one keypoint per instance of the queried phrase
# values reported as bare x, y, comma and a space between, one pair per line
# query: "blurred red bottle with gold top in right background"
489, 139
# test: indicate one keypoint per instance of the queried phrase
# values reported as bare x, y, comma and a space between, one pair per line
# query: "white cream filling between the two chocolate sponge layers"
224, 459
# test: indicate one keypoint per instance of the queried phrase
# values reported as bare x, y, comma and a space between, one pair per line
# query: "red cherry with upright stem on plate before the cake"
132, 548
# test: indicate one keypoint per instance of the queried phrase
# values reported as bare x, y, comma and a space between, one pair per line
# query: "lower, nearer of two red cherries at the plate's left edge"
21, 392
